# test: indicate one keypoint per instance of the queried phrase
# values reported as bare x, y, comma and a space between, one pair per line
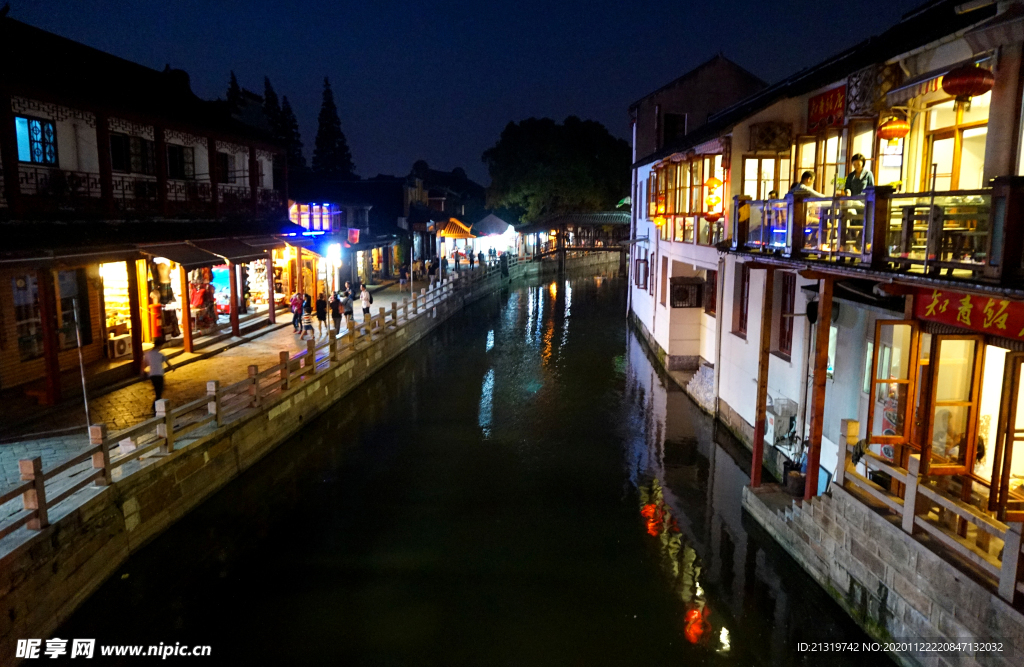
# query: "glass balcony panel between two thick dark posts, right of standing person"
931, 232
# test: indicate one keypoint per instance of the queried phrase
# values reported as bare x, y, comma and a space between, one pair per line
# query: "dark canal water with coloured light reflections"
522, 488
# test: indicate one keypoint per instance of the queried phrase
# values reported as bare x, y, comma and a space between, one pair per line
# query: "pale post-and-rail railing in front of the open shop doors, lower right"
925, 508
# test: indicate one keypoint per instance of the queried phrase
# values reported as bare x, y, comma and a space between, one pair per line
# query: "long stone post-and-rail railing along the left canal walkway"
114, 456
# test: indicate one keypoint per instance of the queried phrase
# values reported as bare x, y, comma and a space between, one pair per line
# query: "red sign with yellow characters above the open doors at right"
983, 314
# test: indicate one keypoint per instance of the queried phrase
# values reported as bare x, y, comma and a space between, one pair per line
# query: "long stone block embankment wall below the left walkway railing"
49, 575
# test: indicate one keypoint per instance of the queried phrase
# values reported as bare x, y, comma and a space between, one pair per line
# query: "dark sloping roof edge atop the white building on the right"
923, 26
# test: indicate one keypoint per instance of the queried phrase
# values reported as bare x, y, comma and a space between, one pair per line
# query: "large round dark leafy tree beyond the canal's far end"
539, 169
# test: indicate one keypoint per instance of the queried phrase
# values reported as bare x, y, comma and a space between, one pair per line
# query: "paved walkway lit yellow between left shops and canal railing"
133, 404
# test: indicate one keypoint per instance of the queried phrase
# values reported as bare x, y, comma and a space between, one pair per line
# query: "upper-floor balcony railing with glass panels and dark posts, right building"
963, 234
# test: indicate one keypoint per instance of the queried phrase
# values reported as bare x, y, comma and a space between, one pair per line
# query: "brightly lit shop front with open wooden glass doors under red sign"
948, 386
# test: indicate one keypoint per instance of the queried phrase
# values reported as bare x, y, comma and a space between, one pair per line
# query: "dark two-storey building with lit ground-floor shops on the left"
108, 168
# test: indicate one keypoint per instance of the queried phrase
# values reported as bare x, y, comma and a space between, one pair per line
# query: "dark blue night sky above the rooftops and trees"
439, 81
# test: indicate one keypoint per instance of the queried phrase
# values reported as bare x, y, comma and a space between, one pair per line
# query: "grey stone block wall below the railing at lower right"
892, 585
